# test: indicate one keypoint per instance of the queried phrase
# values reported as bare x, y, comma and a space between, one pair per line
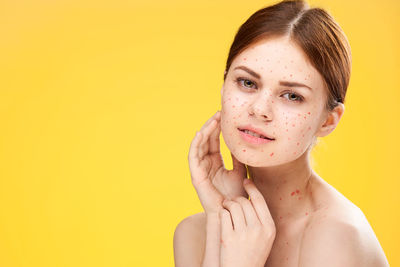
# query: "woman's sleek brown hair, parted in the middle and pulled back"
314, 30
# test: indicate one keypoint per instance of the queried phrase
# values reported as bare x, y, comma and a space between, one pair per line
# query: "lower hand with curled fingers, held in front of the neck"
247, 230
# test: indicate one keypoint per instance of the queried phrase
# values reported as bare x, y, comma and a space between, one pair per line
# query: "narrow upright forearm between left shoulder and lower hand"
211, 257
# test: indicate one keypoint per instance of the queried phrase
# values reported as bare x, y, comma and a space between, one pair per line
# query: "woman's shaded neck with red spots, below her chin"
286, 188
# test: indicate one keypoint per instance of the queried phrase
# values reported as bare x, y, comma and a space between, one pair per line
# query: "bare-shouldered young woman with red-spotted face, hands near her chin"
285, 83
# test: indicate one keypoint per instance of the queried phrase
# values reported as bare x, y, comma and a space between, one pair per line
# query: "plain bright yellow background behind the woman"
99, 103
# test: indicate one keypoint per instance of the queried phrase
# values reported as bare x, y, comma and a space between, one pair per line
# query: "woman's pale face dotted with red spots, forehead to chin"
291, 115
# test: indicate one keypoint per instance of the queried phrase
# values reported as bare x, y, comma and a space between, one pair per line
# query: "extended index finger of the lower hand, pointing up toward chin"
258, 201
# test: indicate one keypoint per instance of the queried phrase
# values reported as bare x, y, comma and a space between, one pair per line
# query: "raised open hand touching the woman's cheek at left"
212, 181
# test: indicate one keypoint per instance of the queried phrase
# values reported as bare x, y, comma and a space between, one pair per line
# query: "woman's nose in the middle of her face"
261, 107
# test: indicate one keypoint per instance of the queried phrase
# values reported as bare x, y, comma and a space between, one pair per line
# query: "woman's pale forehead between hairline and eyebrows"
279, 57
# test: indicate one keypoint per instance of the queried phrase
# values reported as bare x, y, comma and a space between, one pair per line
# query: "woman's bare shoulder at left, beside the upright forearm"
189, 240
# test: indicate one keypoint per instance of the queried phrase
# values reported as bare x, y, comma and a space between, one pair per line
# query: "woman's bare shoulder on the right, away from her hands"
339, 234
